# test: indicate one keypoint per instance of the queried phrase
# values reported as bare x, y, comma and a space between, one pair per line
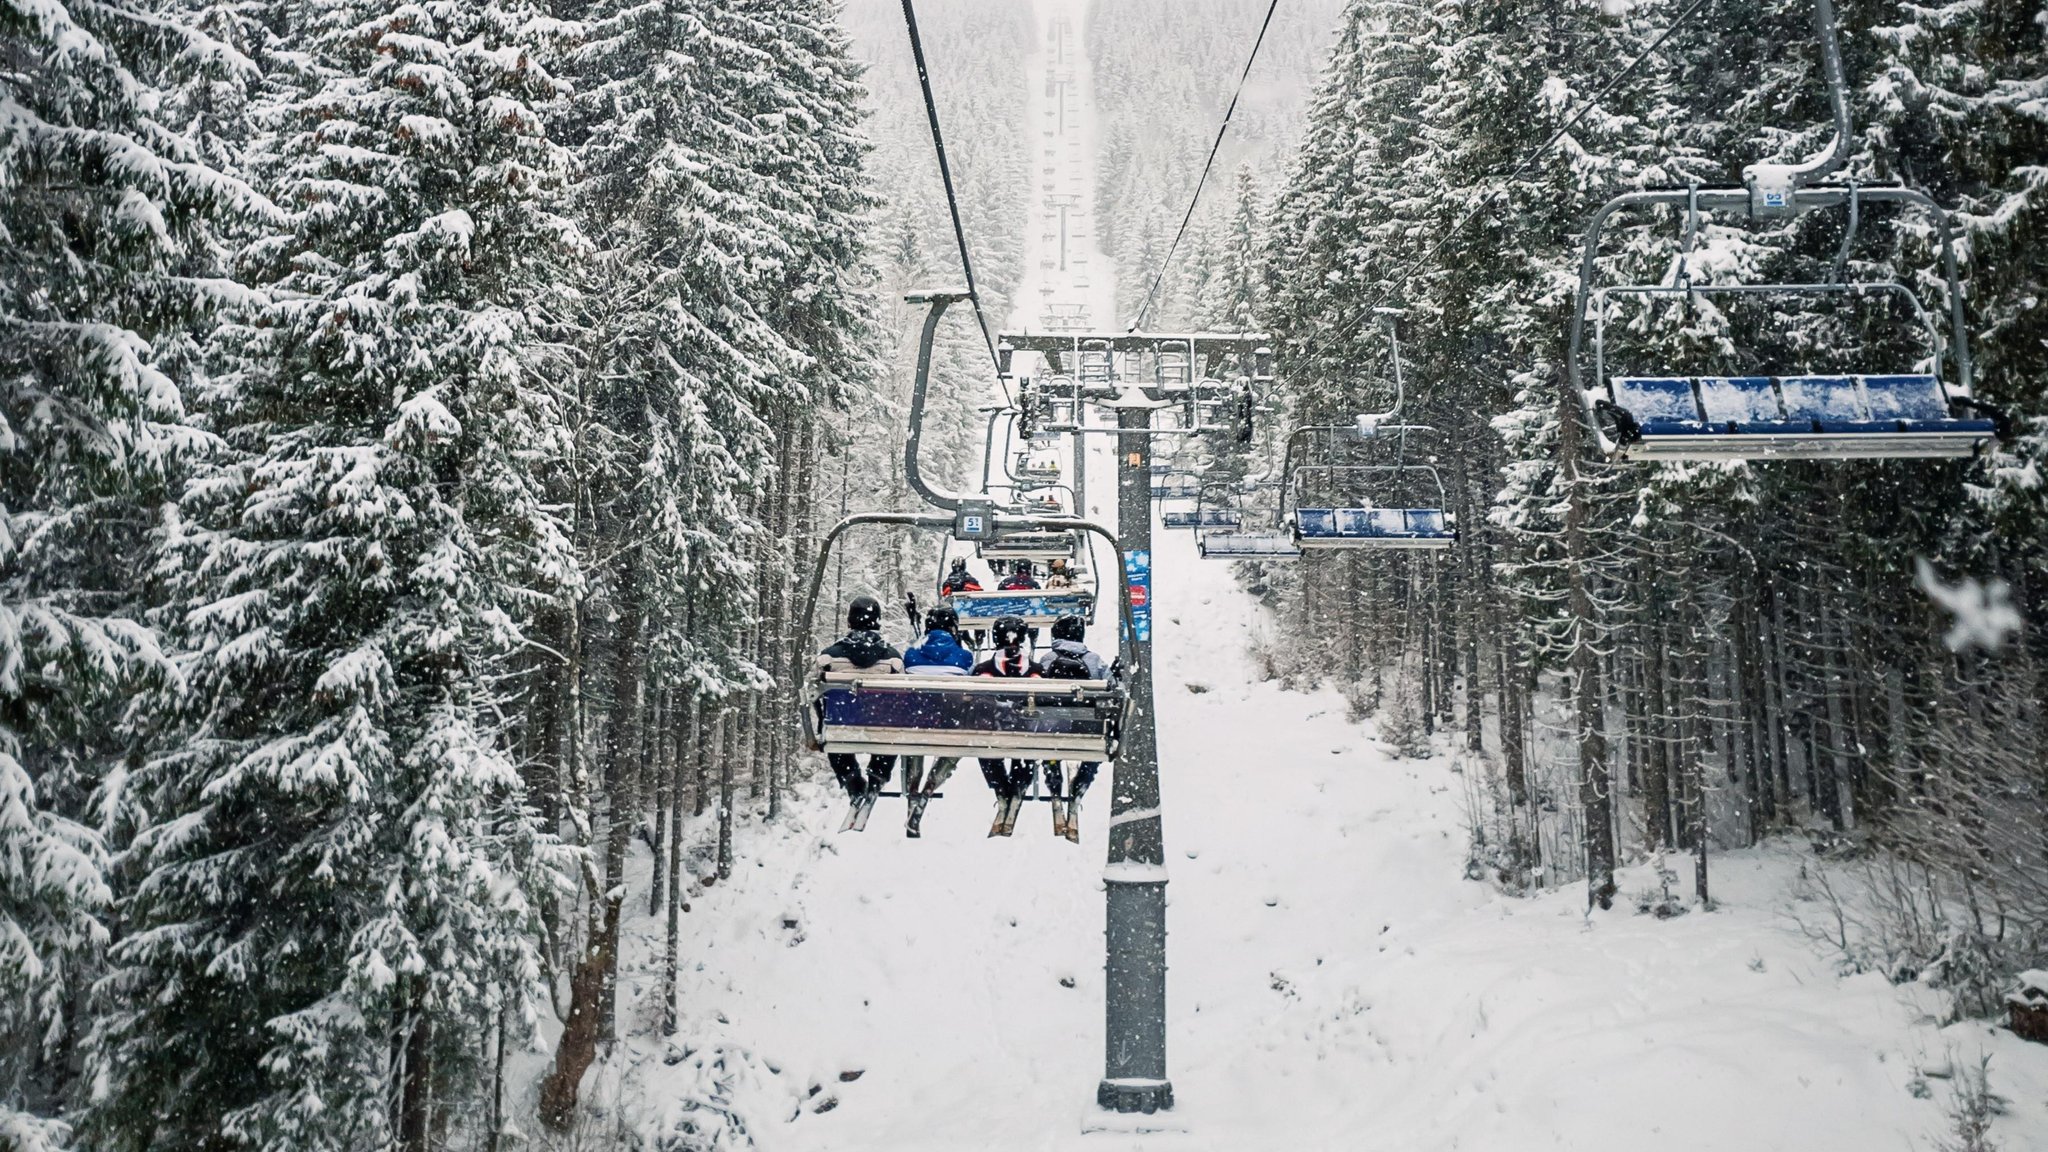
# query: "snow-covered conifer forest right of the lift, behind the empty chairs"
1658, 659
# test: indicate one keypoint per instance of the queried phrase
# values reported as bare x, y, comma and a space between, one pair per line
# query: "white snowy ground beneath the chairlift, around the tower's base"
1334, 979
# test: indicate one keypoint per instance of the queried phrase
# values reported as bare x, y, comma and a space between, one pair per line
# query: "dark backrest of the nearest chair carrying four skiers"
968, 716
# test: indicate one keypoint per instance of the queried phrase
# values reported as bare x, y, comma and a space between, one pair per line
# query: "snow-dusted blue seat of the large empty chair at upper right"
1795, 417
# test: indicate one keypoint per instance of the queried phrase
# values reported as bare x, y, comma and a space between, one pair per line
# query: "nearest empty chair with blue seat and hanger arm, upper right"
1916, 411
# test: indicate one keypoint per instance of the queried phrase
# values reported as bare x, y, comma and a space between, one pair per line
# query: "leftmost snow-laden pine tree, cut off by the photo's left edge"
108, 257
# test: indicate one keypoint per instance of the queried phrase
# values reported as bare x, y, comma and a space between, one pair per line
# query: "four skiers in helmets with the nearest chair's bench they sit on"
876, 692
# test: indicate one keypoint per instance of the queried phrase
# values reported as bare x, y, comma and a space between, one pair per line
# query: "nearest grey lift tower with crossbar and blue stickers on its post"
1197, 384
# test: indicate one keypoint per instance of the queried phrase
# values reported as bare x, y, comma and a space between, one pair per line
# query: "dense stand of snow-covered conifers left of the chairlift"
411, 425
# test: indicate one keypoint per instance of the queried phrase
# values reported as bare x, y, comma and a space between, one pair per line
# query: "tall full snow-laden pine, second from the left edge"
335, 899
